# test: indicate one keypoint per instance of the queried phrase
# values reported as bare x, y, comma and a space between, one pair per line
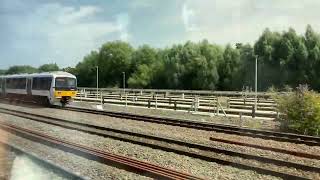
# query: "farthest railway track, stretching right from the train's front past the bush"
229, 129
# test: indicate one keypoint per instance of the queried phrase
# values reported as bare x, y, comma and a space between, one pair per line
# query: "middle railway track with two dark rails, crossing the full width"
171, 145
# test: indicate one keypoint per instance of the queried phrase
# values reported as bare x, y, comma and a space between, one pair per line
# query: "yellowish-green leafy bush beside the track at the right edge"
300, 111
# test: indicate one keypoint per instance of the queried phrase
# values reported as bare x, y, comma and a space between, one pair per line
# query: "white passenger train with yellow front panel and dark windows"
48, 88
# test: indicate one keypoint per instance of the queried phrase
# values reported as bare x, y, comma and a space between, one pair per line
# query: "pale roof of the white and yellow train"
43, 74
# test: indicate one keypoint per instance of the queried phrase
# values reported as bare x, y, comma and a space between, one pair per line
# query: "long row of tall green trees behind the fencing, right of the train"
284, 59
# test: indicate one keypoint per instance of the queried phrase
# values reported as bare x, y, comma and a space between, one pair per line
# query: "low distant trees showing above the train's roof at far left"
30, 69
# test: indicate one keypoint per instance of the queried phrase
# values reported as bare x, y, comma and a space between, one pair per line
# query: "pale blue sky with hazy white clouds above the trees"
35, 32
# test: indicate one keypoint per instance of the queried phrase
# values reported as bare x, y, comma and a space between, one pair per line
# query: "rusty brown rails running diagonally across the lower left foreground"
139, 167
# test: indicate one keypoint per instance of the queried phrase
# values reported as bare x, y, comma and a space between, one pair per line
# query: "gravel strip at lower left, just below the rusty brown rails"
79, 165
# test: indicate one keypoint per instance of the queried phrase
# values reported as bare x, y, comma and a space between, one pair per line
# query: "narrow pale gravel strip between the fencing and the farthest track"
249, 122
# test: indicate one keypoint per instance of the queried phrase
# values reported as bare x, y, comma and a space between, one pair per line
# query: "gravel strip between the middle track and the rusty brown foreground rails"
167, 159
